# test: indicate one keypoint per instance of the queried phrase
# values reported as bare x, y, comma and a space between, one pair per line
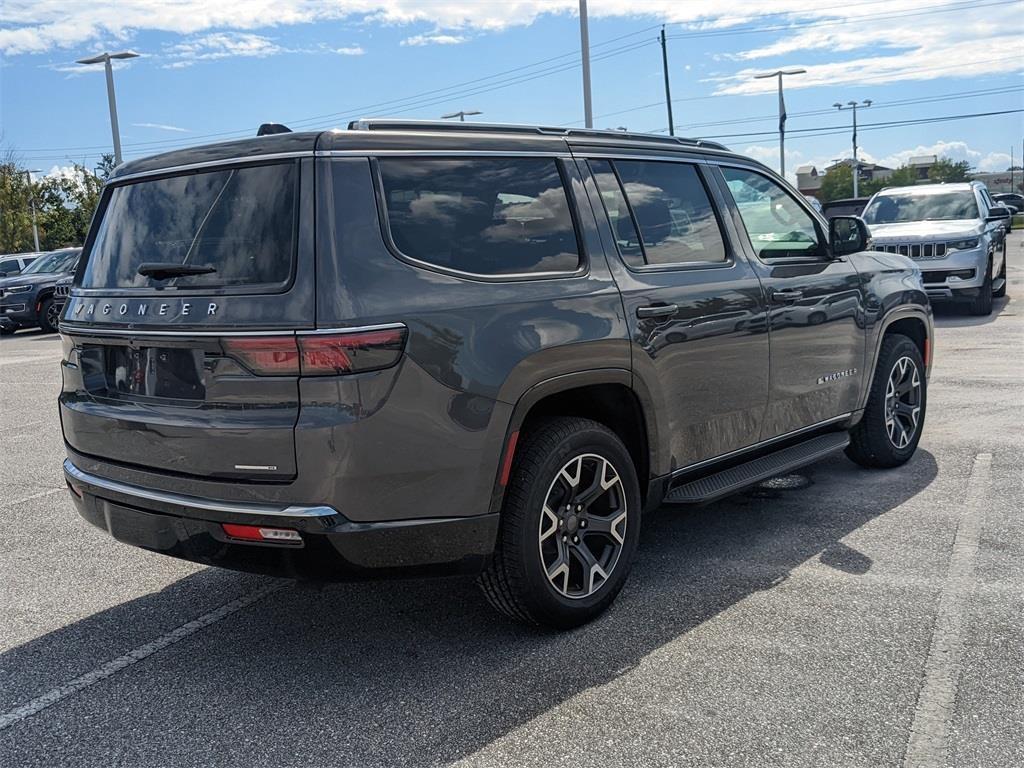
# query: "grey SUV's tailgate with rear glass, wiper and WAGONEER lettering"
180, 335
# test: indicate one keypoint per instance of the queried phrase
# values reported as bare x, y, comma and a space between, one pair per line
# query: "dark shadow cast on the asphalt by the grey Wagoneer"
424, 673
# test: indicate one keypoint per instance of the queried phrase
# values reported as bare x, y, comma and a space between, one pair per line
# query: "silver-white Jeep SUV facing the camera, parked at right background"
955, 232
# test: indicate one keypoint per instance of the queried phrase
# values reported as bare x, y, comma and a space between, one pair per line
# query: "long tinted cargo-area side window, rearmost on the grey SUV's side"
485, 217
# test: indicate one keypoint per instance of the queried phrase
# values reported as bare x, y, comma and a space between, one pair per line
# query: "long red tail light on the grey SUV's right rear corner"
320, 354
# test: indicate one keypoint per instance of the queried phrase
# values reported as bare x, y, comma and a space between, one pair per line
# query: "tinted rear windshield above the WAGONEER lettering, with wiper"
237, 224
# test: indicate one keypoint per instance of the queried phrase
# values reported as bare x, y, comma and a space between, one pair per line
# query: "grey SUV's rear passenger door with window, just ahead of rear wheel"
696, 311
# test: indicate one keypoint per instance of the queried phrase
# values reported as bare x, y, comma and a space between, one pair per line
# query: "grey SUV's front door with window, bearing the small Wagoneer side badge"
816, 306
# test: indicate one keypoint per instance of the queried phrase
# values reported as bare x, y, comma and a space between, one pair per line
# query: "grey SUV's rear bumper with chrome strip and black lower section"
332, 547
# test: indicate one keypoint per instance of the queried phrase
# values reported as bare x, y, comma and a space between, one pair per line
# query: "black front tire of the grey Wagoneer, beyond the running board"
871, 442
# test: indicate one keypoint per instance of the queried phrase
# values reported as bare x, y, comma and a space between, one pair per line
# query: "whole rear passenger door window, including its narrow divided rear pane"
670, 207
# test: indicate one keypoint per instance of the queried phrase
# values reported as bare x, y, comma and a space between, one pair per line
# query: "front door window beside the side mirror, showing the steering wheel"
777, 225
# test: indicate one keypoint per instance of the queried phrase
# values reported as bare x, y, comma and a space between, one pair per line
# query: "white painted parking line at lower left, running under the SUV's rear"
134, 657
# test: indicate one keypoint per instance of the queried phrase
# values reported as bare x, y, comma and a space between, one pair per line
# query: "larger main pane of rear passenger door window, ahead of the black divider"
673, 212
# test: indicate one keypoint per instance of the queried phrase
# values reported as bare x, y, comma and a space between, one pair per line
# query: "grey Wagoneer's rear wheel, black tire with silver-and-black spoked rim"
533, 543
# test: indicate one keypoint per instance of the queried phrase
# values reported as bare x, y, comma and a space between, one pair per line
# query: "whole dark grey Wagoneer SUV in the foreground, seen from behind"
433, 349
